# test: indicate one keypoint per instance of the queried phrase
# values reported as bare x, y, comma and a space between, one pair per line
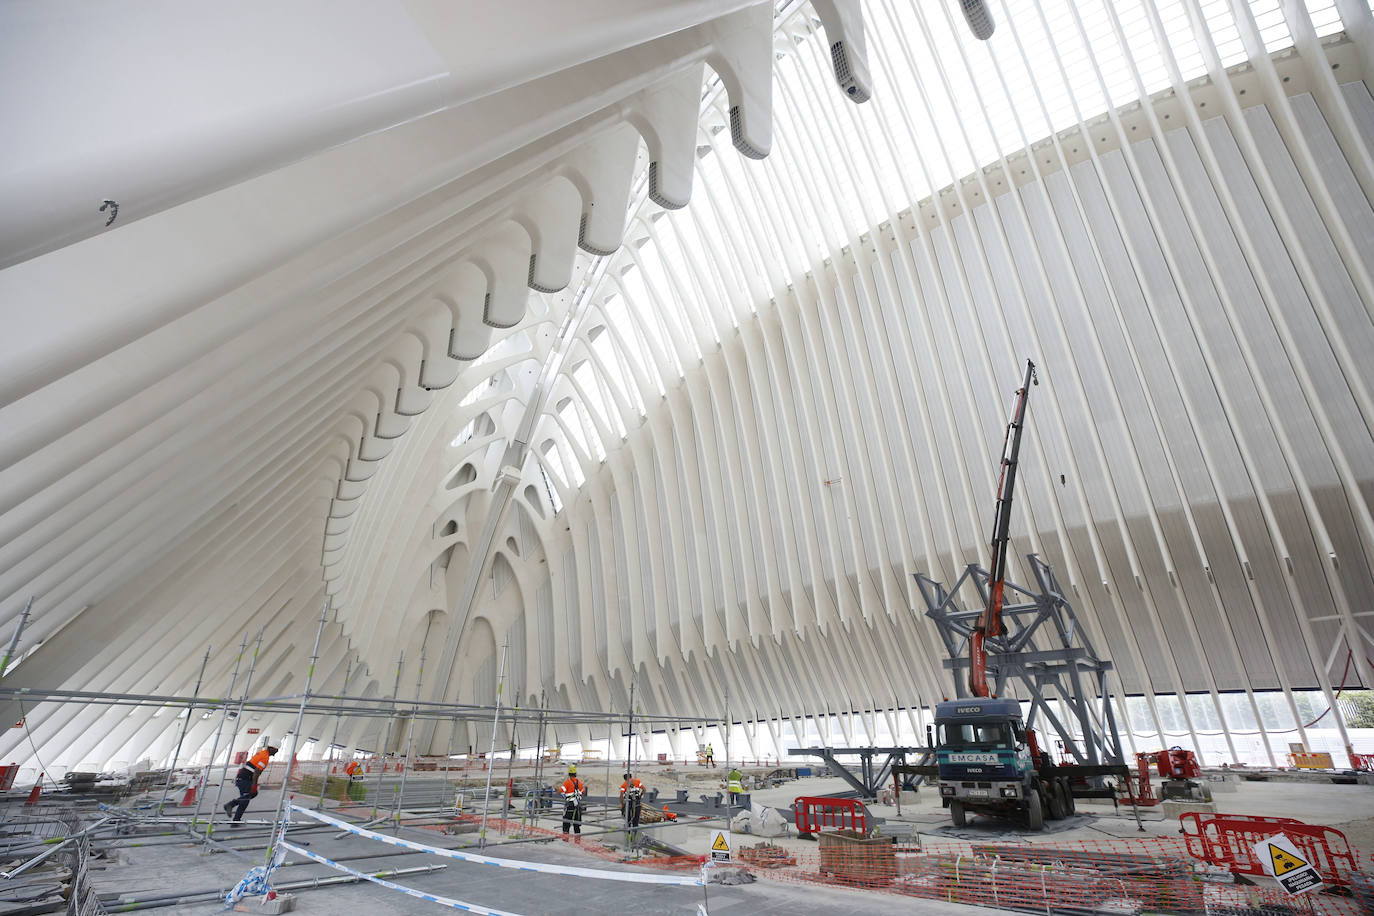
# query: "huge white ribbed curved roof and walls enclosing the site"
618, 334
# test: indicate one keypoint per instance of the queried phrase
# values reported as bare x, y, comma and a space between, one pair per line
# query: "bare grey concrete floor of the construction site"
178, 867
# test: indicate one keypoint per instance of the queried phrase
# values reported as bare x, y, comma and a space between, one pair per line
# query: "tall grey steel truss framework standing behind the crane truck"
1045, 653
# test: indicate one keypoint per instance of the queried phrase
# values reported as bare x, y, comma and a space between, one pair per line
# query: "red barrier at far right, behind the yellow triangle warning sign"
1228, 841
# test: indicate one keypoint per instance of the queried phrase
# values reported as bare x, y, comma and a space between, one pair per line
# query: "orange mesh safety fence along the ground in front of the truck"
1131, 875
